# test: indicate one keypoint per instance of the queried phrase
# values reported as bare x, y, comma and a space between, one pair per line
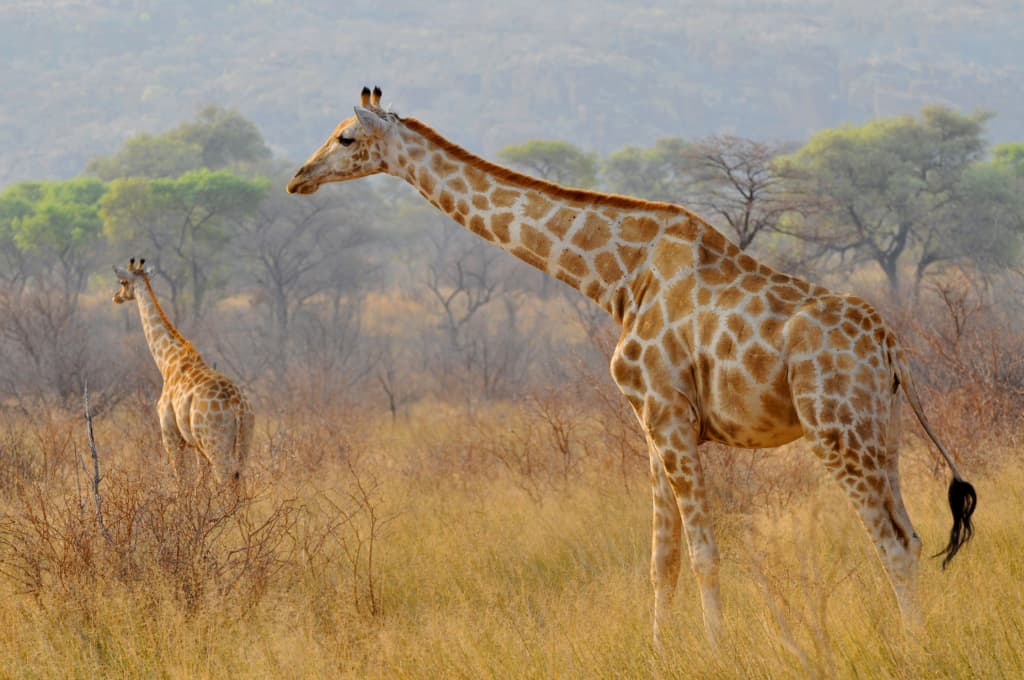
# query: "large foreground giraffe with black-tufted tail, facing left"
715, 347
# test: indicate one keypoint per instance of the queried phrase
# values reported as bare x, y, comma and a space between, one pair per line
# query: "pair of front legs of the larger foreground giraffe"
672, 432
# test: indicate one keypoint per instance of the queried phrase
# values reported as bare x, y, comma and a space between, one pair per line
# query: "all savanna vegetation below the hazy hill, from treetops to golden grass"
446, 482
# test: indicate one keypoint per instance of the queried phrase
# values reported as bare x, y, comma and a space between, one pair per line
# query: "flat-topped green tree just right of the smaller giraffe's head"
183, 226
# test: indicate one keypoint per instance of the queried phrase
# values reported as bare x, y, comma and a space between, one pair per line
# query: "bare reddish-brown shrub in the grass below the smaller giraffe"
205, 548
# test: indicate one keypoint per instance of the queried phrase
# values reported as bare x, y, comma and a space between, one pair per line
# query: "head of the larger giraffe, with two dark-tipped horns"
356, 149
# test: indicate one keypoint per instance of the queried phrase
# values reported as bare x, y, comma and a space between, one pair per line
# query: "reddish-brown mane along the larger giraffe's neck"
536, 184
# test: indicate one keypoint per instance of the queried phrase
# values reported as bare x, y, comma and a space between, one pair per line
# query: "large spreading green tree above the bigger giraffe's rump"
886, 192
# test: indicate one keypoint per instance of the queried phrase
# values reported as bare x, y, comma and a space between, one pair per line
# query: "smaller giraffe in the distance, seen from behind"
199, 408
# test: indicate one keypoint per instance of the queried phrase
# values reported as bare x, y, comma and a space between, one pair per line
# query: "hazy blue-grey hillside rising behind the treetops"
79, 77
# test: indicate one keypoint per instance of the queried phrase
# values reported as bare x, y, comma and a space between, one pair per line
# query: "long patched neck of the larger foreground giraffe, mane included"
593, 242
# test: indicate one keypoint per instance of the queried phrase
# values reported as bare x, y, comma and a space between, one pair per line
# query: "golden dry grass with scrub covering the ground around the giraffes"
510, 543
